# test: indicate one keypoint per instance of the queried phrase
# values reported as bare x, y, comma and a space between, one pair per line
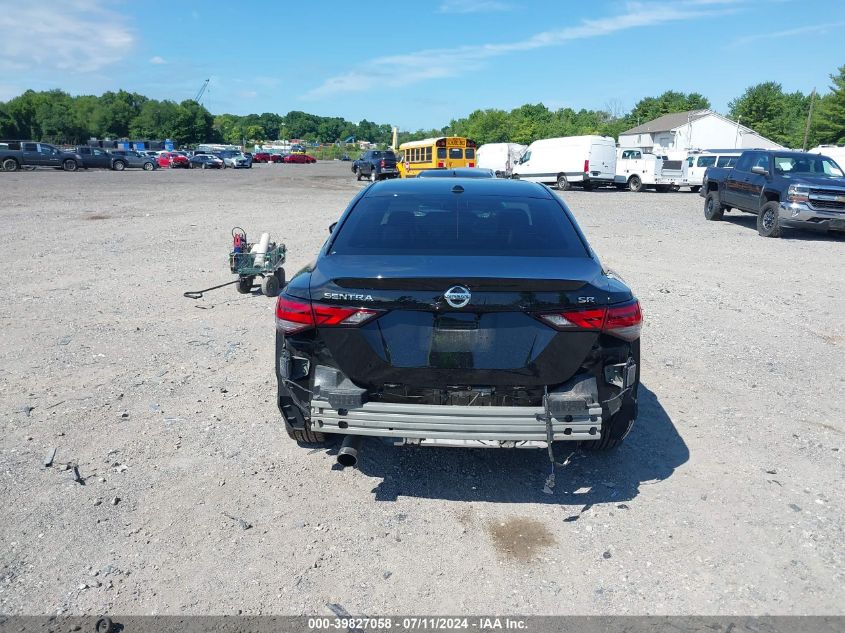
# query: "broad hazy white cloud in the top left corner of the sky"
73, 35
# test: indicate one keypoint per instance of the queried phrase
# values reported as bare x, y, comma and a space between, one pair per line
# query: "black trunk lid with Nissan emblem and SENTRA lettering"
430, 338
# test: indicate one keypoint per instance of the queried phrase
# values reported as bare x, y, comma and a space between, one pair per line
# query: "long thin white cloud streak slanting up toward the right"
401, 70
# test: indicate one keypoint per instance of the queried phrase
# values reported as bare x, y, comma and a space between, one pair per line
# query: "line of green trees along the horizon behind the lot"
55, 116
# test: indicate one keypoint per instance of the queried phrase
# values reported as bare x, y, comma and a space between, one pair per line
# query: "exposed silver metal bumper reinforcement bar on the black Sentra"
465, 425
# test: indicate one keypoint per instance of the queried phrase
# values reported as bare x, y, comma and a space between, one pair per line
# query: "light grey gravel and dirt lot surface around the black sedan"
726, 498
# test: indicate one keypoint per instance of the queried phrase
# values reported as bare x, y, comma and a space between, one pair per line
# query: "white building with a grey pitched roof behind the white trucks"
678, 133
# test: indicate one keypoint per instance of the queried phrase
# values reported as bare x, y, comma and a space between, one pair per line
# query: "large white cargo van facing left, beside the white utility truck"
587, 161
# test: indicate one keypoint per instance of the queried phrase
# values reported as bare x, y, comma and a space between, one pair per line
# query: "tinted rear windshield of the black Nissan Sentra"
458, 225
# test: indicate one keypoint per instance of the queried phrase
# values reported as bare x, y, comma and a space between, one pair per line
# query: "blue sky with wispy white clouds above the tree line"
418, 64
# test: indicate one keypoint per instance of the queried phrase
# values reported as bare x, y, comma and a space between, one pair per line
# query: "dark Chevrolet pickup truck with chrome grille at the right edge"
783, 189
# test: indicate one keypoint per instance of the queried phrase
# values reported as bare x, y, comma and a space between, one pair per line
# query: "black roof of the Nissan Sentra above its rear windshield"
478, 186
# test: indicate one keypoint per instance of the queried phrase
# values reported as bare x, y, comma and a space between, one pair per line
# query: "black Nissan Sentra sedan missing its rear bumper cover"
458, 312
